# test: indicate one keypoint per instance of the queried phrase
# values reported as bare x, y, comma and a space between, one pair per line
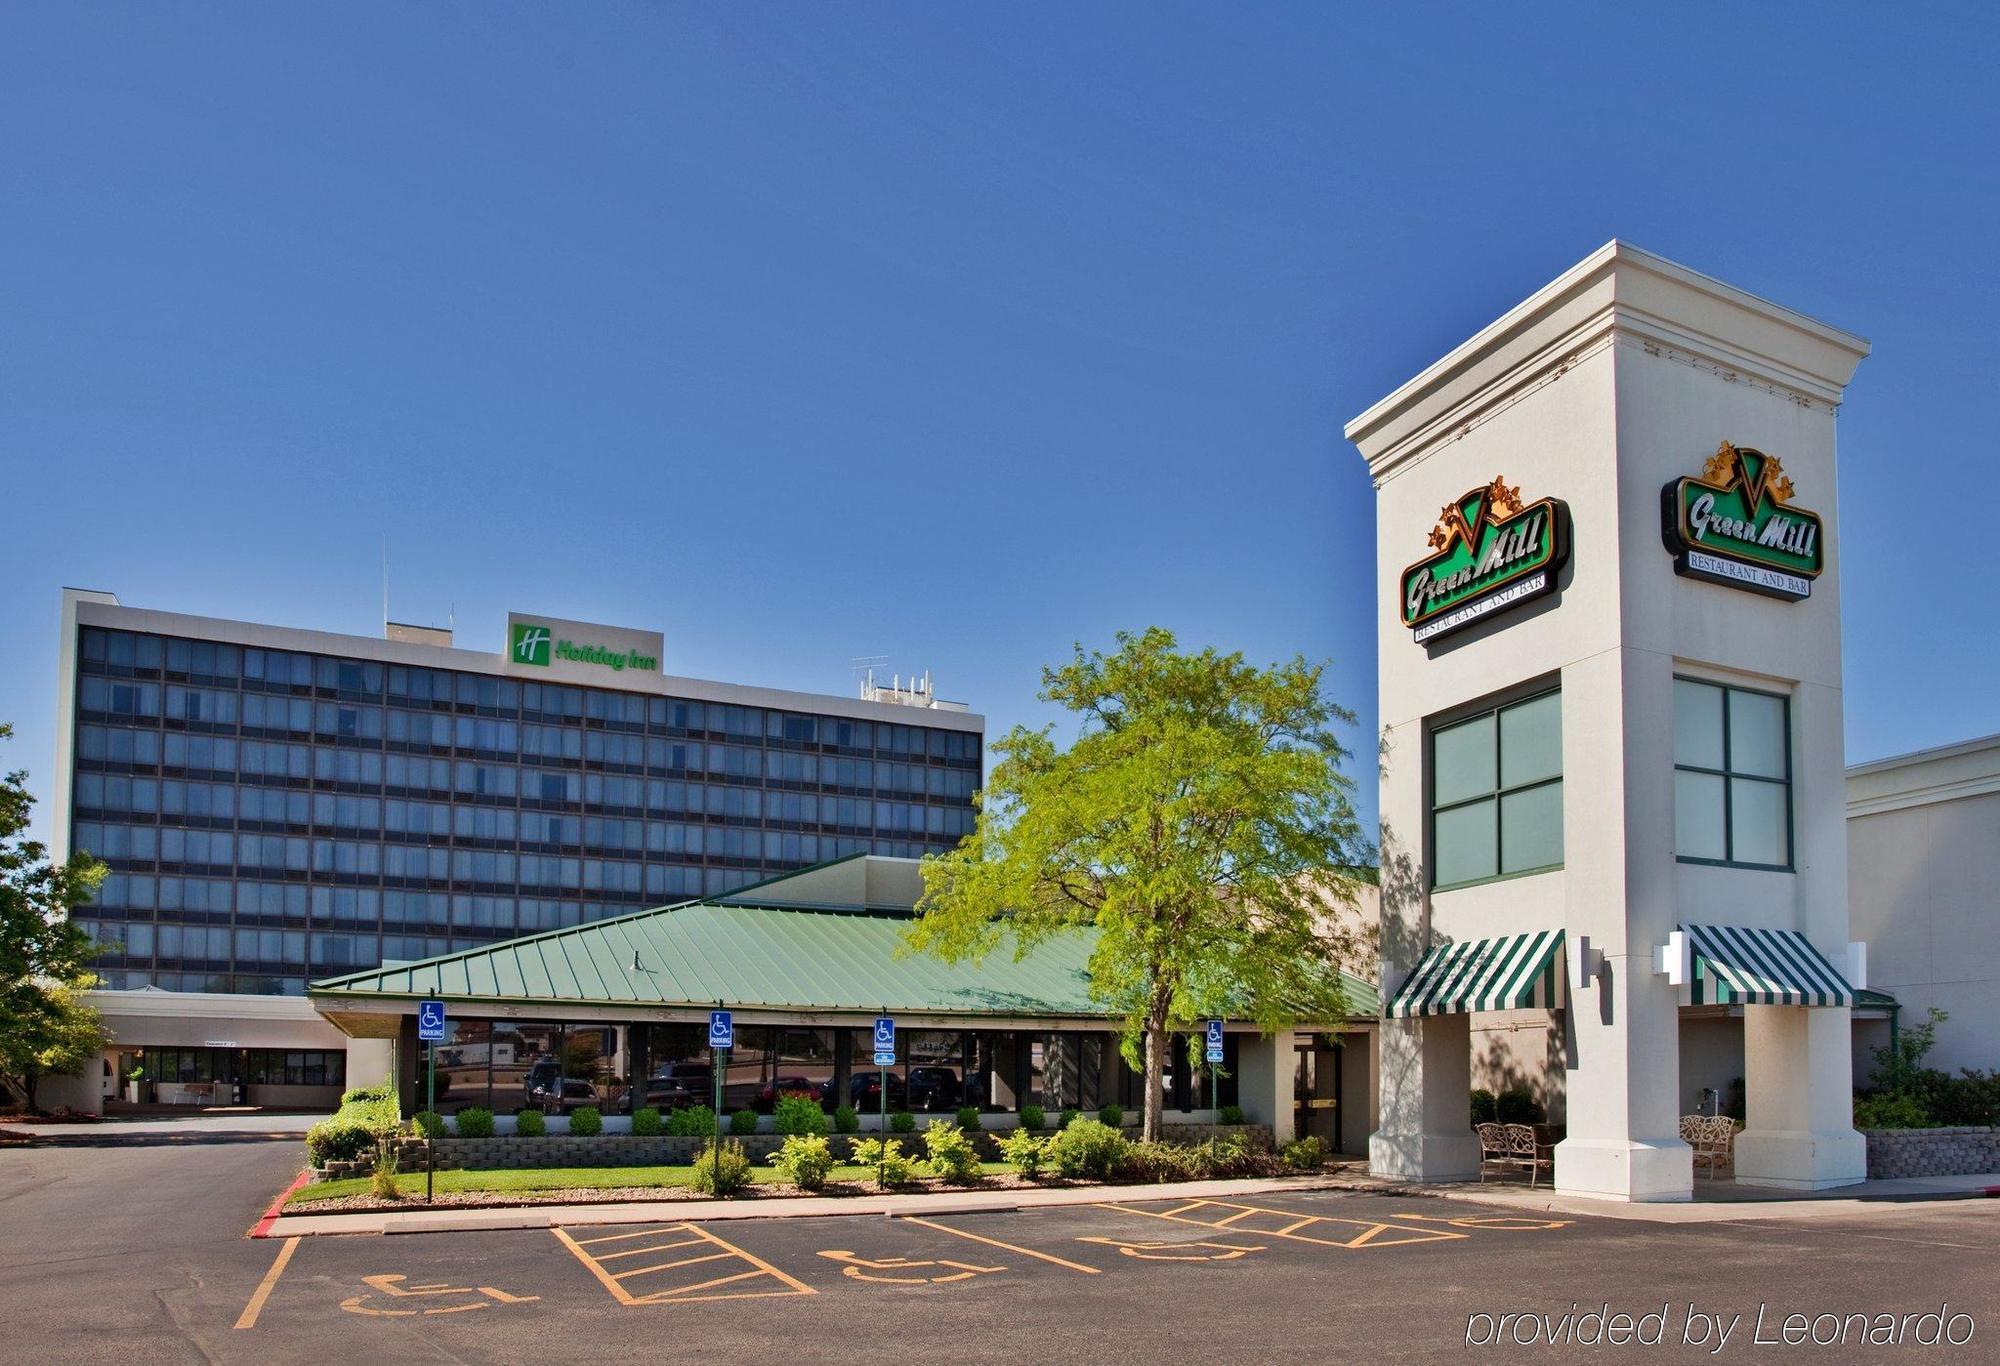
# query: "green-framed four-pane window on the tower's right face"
1733, 777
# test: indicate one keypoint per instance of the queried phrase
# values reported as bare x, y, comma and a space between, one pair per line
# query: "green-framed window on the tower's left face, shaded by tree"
1497, 793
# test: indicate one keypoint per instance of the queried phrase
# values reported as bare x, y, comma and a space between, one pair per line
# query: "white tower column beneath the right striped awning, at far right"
1799, 1091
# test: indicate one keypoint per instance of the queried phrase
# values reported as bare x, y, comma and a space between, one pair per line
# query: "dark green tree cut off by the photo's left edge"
45, 1027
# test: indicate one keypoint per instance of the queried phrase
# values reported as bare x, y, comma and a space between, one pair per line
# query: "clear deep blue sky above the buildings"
943, 333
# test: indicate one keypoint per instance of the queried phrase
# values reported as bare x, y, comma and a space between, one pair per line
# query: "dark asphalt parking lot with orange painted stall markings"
141, 1255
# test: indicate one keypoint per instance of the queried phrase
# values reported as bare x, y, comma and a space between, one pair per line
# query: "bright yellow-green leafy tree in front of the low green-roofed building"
1199, 823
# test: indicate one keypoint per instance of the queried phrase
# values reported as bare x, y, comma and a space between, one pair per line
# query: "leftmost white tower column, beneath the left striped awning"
1427, 1103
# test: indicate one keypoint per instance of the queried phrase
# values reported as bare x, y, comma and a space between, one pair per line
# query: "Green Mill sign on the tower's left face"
1489, 553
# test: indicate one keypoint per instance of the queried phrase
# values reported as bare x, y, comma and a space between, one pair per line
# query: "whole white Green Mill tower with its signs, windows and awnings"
1609, 583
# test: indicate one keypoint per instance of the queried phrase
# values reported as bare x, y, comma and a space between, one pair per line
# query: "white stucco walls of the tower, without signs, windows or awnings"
1623, 375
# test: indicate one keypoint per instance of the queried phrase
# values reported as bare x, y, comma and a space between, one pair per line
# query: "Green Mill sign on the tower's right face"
1737, 525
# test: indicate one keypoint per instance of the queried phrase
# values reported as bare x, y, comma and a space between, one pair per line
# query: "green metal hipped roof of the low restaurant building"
753, 957
